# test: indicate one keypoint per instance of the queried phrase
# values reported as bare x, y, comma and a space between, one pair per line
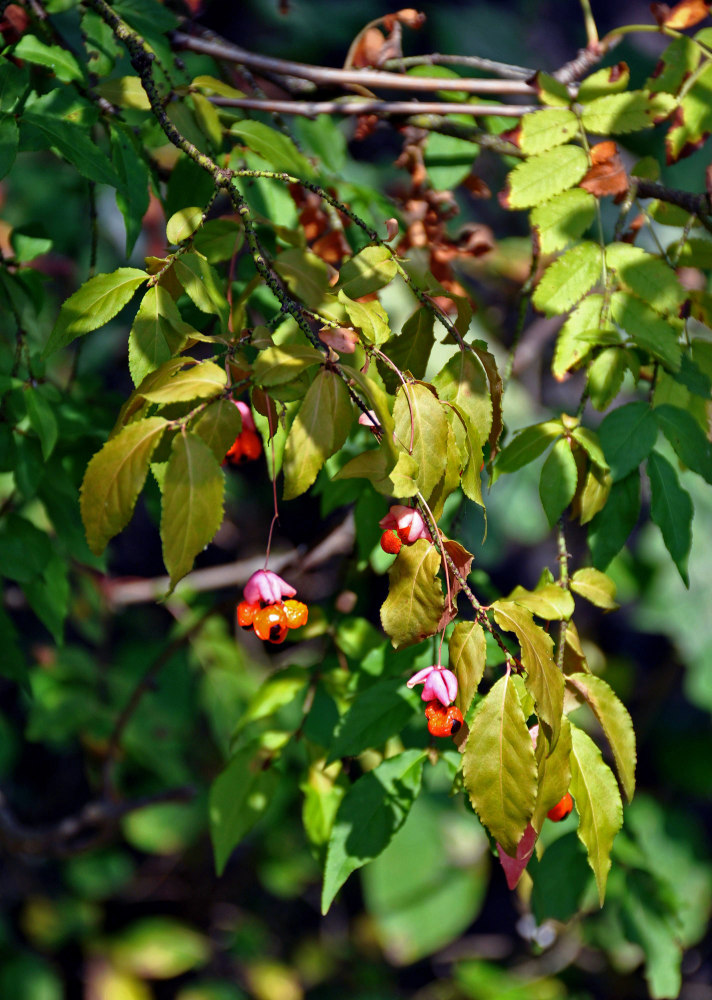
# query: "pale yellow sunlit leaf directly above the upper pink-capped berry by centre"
419, 416
